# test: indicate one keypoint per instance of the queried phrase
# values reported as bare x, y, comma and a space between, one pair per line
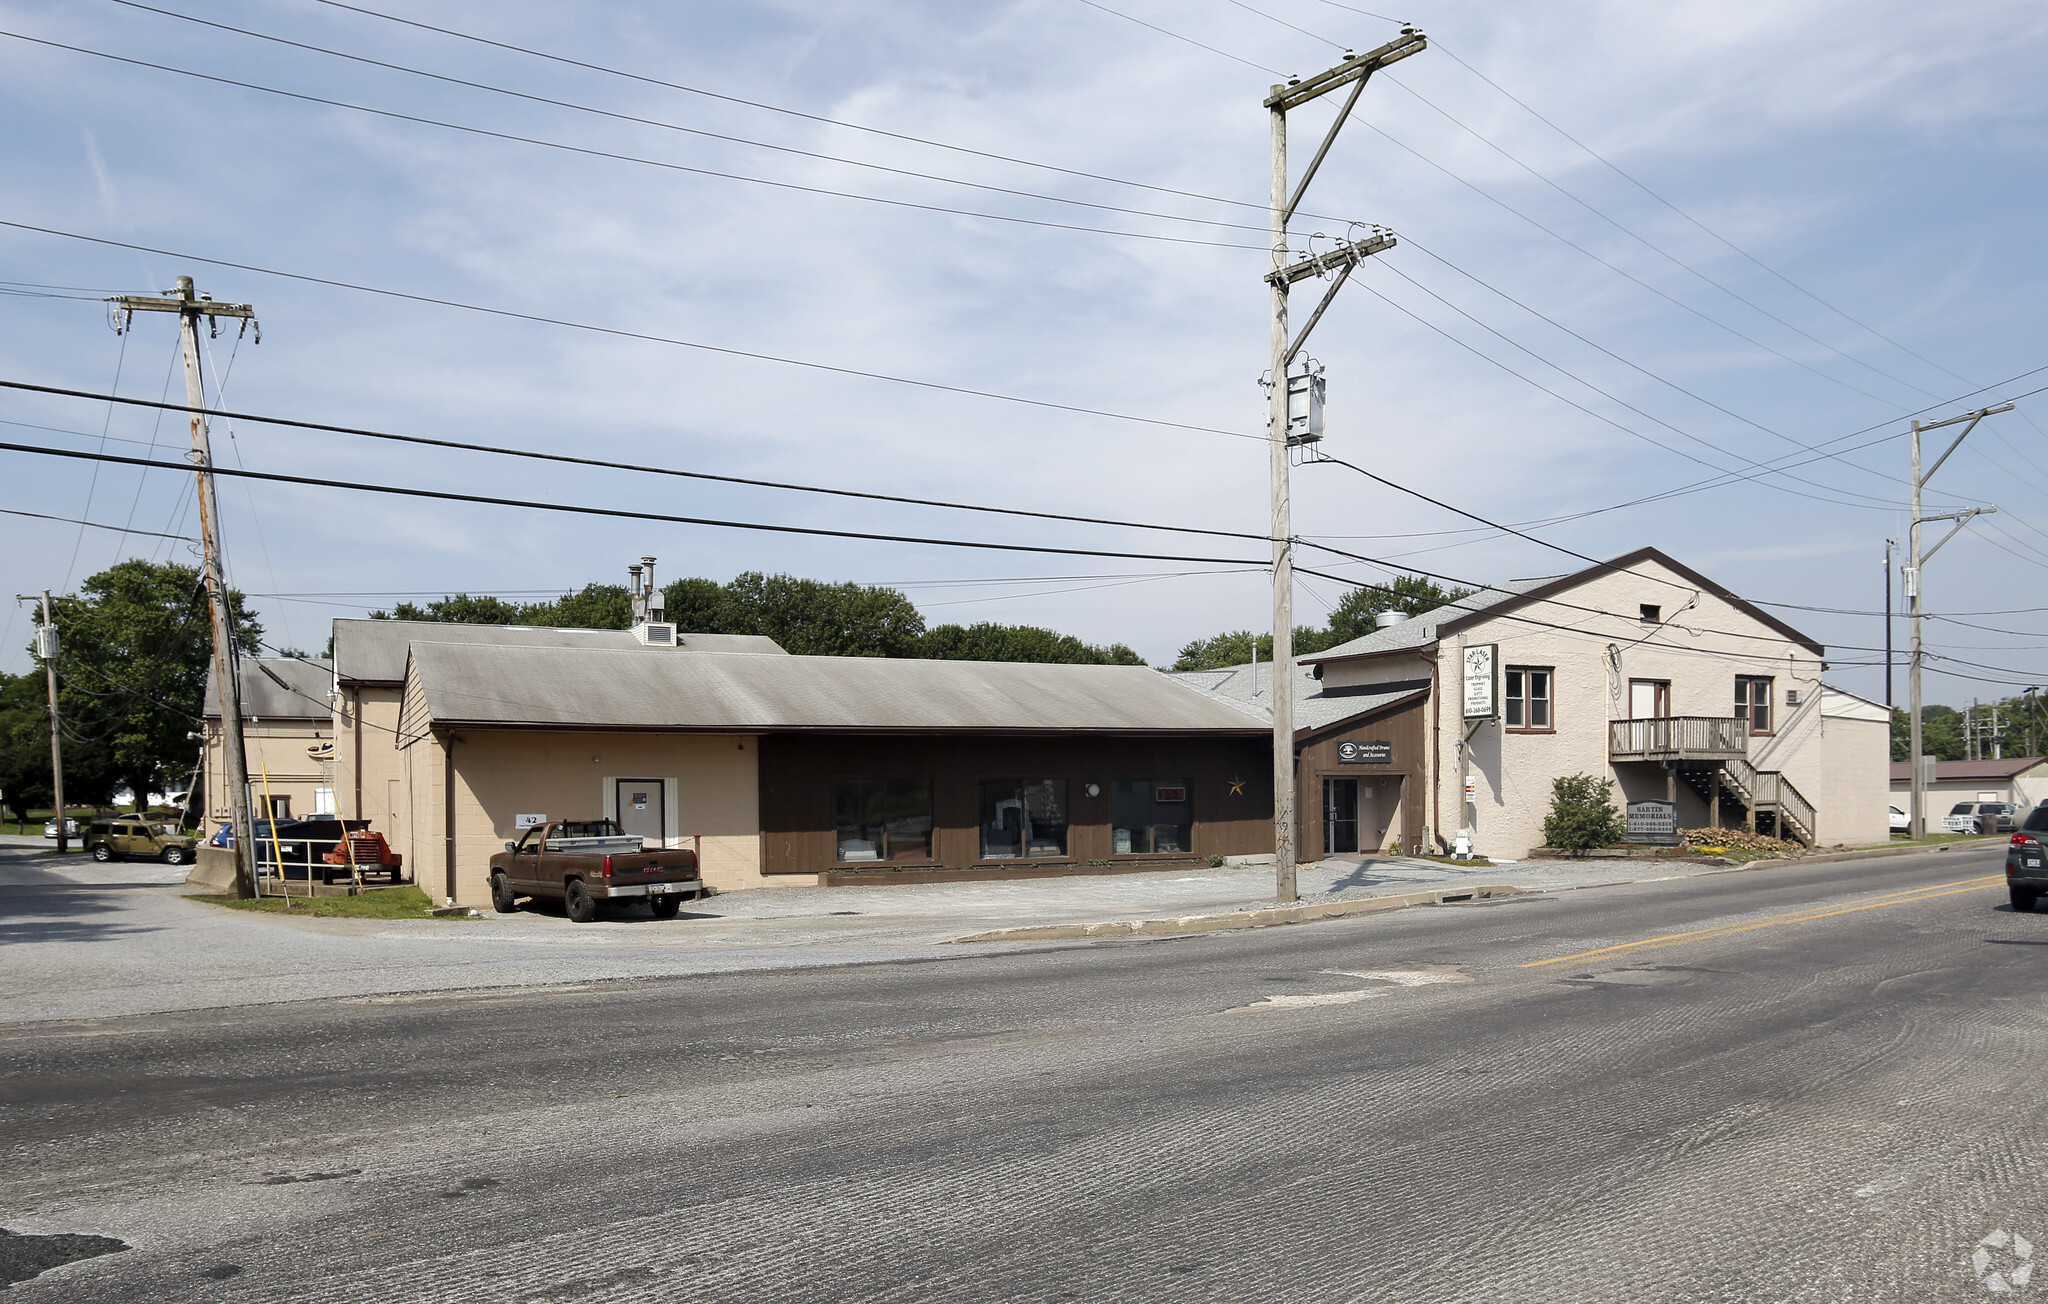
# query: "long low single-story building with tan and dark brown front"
785, 769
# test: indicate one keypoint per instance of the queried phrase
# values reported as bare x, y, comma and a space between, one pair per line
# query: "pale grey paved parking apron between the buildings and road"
85, 941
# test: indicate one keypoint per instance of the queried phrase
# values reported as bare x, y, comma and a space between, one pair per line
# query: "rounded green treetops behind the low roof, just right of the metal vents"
818, 619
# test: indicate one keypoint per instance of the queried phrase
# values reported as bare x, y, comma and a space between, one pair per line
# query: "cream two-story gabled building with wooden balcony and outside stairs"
1637, 670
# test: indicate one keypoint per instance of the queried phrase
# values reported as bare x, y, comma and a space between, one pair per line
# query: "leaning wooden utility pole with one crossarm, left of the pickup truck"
191, 308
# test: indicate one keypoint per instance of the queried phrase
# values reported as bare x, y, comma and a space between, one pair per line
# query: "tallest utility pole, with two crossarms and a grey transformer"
1281, 431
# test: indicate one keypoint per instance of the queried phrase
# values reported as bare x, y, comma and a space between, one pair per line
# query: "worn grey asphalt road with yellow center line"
1803, 1084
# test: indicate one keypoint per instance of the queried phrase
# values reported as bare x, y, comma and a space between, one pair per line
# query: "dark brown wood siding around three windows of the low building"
798, 775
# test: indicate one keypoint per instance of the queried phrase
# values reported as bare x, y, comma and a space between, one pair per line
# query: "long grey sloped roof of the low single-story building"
615, 689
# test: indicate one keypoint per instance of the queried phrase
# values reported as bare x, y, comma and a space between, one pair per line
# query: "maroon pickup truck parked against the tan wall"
587, 863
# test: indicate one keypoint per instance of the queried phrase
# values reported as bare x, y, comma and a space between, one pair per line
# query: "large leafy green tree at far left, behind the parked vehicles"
132, 670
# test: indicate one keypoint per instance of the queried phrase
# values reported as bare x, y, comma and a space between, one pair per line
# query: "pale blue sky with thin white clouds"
1668, 275
